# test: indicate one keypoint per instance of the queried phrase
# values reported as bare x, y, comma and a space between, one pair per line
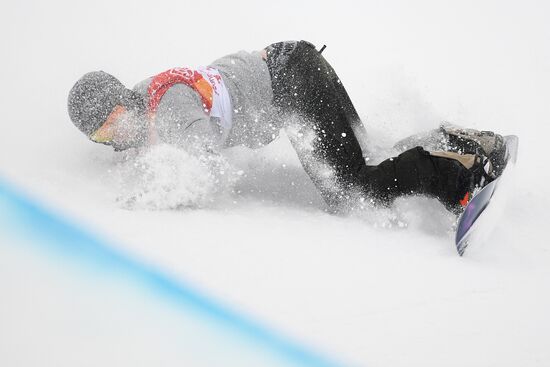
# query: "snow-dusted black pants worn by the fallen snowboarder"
323, 120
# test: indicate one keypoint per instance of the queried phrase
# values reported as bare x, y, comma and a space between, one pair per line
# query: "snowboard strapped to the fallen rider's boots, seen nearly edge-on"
467, 221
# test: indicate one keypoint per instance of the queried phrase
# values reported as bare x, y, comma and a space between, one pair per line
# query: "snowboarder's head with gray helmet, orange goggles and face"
103, 108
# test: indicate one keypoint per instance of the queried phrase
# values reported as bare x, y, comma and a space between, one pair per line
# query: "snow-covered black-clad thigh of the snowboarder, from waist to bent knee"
321, 117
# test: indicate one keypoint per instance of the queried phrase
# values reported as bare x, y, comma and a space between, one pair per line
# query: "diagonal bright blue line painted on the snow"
53, 230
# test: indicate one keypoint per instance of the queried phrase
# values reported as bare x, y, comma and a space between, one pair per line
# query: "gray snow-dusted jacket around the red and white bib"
181, 120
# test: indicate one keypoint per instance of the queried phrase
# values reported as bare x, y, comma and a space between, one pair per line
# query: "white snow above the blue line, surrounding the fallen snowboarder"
376, 288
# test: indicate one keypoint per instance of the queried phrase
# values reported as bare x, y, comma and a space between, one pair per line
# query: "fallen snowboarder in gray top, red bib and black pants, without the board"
246, 98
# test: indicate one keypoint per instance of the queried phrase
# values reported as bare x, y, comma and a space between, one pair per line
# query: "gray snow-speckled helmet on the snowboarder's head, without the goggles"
93, 98
